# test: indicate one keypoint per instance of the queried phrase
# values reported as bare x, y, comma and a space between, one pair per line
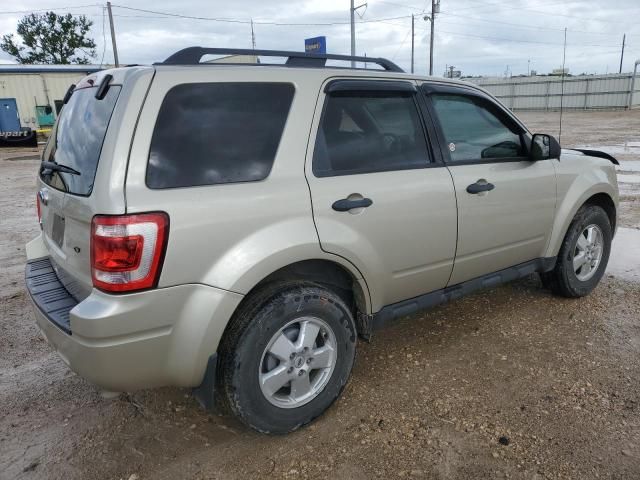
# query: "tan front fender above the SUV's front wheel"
576, 184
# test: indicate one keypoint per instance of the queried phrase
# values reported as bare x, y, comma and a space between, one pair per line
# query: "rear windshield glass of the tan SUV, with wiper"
76, 140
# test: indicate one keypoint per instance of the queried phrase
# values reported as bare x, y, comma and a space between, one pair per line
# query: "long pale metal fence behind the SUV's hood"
582, 92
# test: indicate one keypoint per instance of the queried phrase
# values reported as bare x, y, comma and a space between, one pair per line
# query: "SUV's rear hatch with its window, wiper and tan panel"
83, 167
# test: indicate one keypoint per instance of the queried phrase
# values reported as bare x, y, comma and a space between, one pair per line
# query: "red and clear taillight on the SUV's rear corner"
127, 251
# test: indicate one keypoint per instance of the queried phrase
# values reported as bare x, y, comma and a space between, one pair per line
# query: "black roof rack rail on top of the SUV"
192, 56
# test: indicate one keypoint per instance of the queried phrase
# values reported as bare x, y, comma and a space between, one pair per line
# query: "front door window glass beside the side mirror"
474, 129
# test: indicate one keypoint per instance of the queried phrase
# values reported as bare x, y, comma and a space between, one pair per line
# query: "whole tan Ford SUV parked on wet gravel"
235, 228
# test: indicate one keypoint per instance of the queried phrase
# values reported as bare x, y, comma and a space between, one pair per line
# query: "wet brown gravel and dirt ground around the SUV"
509, 383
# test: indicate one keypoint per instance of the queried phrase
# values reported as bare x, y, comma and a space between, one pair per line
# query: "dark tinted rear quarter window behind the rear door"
212, 133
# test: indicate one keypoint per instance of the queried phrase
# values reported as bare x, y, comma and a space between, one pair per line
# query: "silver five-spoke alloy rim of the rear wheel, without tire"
298, 362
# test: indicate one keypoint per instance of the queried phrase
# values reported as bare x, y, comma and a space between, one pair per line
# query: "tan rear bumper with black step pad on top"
148, 339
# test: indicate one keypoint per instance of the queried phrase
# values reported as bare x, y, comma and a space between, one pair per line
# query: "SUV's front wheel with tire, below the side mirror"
582, 260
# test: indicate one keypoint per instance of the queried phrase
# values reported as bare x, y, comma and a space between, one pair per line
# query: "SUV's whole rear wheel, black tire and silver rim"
287, 356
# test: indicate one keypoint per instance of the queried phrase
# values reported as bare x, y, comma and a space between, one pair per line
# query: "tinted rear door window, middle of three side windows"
365, 132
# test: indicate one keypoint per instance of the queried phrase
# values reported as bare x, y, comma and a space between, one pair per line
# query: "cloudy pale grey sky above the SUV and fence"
490, 37
